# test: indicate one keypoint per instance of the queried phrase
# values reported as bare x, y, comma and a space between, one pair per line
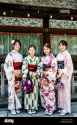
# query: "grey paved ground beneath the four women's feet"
5, 113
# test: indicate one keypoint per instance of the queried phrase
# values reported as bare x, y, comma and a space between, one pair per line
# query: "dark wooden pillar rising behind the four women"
46, 34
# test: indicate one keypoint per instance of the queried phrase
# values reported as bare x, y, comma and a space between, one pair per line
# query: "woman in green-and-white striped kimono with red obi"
31, 99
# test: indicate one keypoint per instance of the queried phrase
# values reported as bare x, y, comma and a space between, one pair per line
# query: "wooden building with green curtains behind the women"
38, 22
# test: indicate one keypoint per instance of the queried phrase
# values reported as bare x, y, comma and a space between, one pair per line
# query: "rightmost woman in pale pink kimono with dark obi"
65, 75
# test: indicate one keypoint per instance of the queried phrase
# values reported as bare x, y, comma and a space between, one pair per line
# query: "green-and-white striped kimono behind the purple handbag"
31, 99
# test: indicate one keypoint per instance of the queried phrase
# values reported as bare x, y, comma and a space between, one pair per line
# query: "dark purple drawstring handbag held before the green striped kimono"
28, 85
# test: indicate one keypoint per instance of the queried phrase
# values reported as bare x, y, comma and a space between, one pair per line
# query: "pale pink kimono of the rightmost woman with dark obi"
64, 93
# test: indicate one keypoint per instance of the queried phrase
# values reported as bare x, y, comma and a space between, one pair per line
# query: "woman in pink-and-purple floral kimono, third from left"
47, 81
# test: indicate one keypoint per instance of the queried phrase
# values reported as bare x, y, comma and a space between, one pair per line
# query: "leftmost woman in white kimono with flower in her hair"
12, 67
